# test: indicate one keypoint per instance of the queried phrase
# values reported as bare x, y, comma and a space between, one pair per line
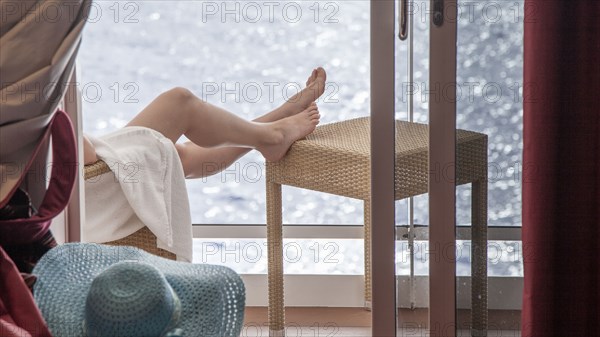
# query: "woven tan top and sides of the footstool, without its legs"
336, 159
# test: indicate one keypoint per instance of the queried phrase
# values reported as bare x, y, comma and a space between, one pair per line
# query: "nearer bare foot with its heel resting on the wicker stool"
284, 132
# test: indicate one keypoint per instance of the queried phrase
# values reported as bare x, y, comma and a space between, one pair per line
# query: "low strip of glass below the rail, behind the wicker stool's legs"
345, 256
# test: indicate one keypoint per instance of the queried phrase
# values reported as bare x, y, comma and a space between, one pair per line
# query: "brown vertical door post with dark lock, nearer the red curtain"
442, 168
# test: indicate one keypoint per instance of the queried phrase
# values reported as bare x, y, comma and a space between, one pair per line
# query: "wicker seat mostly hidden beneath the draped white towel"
143, 238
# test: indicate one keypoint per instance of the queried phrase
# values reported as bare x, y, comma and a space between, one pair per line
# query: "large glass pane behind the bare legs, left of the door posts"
247, 57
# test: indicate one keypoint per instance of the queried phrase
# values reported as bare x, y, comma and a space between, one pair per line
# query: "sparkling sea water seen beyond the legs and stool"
249, 56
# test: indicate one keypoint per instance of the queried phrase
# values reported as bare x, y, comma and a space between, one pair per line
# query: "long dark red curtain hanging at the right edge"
561, 178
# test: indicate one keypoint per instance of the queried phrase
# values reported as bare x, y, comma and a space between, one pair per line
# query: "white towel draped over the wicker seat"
147, 189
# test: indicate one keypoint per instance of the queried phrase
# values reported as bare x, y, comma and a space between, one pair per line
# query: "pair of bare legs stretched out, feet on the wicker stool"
220, 137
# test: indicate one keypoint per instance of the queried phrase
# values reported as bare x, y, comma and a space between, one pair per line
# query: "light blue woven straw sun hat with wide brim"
96, 290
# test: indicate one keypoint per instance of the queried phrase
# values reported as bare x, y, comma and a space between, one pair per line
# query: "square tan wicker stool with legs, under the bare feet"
336, 159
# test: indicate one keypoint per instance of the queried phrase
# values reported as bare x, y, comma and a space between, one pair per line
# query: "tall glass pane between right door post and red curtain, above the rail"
489, 80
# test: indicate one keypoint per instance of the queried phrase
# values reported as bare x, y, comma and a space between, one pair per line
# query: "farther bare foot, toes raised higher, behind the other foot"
315, 87
